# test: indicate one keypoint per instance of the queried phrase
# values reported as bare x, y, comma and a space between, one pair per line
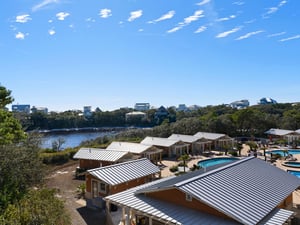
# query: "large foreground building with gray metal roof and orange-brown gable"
248, 191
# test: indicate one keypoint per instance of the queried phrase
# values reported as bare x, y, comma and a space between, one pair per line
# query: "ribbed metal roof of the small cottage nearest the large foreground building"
124, 172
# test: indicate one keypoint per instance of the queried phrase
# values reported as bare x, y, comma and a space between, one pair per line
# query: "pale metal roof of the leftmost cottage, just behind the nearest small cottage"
99, 154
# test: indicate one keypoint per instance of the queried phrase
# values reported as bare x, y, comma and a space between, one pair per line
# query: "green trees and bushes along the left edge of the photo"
22, 198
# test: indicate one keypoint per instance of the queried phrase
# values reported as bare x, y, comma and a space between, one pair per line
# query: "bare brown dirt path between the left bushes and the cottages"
63, 179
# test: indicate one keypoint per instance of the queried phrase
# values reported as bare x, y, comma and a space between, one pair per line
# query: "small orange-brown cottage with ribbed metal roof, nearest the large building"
112, 179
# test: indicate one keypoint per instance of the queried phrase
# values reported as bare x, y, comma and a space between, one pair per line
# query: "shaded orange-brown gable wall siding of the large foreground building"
177, 197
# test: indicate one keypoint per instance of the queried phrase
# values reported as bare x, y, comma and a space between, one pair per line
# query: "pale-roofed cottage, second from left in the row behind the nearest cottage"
138, 150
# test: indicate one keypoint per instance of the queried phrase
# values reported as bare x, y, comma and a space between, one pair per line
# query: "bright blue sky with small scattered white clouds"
66, 54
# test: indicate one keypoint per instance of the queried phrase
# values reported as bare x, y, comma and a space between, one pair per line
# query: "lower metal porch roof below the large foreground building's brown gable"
164, 211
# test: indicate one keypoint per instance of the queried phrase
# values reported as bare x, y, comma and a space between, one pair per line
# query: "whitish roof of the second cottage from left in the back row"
128, 147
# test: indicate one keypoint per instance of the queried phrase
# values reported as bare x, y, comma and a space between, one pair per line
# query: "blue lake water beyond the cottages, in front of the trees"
73, 139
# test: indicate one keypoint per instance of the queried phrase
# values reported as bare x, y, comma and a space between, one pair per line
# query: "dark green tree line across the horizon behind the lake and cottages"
252, 121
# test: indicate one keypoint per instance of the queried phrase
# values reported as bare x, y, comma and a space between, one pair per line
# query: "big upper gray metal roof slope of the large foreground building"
246, 190
